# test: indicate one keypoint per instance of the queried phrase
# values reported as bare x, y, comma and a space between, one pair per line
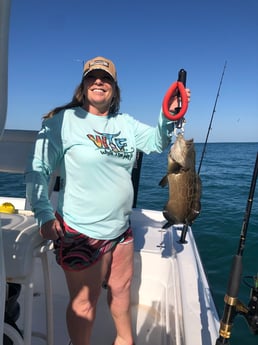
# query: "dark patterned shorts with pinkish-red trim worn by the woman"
76, 251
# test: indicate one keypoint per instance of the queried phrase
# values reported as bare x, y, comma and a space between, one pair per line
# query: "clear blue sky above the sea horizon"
149, 42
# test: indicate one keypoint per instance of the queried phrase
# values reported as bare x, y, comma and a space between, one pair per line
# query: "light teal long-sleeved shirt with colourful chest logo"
94, 156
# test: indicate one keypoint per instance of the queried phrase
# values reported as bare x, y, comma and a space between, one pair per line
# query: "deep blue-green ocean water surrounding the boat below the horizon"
226, 175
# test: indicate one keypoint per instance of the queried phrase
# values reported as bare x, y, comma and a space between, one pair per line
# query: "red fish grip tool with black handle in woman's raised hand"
176, 89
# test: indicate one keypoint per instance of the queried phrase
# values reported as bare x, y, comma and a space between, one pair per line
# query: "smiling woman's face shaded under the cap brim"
99, 91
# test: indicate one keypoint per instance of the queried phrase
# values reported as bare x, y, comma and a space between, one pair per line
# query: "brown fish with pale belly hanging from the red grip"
184, 184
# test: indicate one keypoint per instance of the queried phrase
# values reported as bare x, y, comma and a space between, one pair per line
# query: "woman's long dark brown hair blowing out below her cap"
78, 100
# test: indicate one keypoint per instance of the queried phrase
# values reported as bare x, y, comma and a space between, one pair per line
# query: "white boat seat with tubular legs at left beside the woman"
22, 246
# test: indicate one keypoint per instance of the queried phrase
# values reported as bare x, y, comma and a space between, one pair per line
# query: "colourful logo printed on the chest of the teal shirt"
111, 144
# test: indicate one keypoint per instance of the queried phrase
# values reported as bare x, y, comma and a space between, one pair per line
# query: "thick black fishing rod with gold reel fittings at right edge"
232, 305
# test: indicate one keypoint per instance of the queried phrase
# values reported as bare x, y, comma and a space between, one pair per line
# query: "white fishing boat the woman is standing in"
172, 302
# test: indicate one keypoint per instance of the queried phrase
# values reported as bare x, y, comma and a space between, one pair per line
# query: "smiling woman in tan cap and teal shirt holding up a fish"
94, 147
